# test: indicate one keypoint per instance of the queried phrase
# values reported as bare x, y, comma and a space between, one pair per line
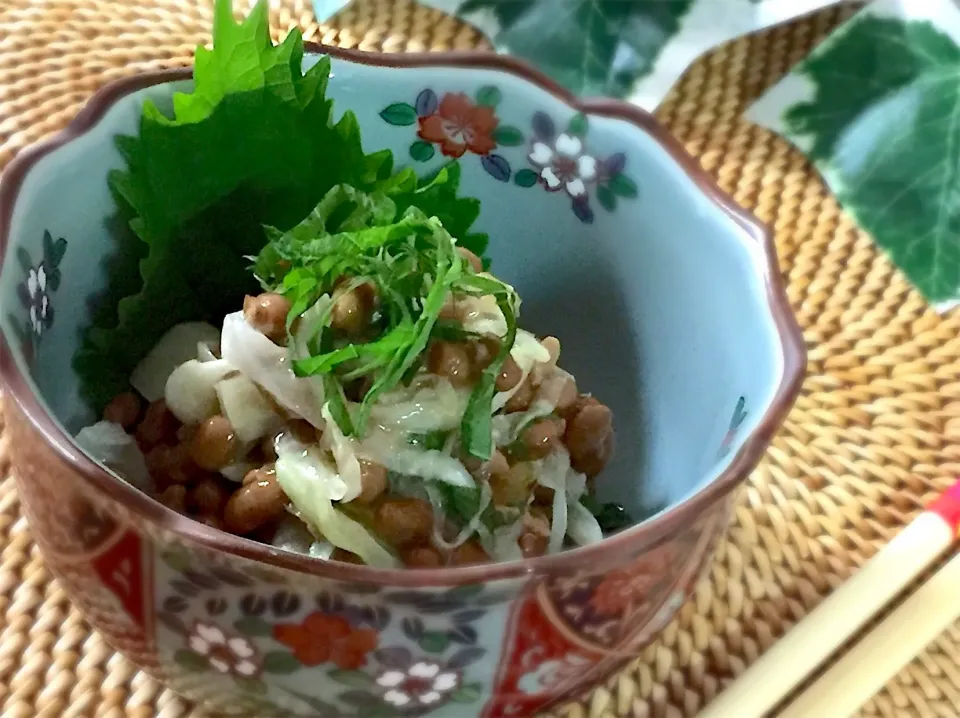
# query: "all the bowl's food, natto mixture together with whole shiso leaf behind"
373, 400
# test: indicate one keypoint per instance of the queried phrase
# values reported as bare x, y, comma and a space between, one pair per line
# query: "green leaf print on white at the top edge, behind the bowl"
631, 49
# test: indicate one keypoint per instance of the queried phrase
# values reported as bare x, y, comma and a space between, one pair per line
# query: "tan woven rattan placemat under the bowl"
875, 434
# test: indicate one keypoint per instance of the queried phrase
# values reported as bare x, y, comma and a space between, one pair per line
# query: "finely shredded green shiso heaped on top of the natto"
352, 237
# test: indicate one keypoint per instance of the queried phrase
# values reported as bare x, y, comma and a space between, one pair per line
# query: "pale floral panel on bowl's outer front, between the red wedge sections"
372, 657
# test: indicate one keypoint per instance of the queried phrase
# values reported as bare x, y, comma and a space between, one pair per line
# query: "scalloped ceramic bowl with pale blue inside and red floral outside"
670, 308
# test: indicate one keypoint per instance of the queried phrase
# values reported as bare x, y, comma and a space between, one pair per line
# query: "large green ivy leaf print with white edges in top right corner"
876, 107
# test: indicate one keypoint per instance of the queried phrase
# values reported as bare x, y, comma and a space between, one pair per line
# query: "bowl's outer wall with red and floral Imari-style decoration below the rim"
248, 640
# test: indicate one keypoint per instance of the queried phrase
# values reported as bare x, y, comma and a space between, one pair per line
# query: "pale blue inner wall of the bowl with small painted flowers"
654, 291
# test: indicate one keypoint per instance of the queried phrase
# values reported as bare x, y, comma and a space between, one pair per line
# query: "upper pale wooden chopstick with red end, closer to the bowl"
838, 617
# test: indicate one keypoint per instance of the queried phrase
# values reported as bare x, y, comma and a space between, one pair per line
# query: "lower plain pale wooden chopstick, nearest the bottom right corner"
879, 656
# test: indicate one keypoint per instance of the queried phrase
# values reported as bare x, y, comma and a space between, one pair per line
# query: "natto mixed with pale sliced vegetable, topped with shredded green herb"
376, 403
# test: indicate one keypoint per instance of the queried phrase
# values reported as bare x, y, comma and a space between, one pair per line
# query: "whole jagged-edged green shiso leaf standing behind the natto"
253, 144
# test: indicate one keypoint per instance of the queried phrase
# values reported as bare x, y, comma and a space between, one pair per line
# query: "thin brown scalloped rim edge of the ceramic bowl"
630, 542
